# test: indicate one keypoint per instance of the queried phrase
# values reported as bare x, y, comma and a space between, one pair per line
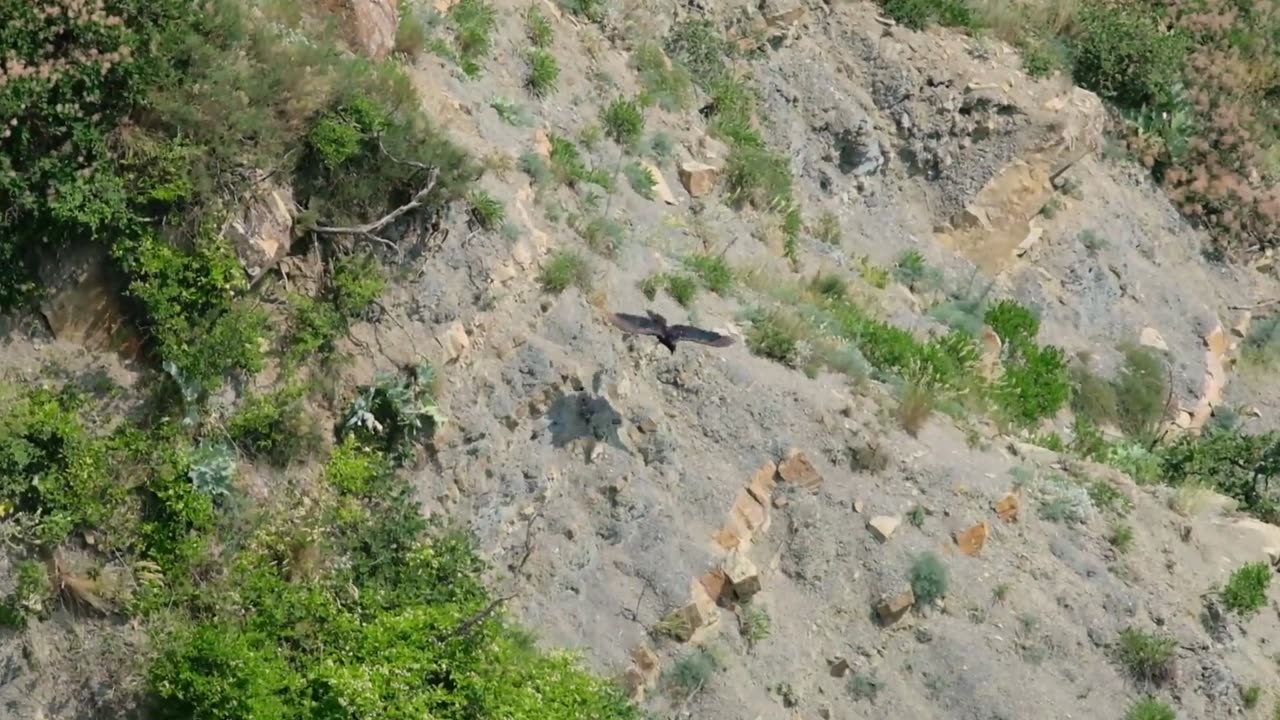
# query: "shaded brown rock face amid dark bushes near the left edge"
84, 304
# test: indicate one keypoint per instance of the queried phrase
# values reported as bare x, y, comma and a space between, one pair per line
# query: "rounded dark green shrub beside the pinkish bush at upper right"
1123, 54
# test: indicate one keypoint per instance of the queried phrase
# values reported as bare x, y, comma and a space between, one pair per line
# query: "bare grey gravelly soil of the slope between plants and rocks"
616, 530
